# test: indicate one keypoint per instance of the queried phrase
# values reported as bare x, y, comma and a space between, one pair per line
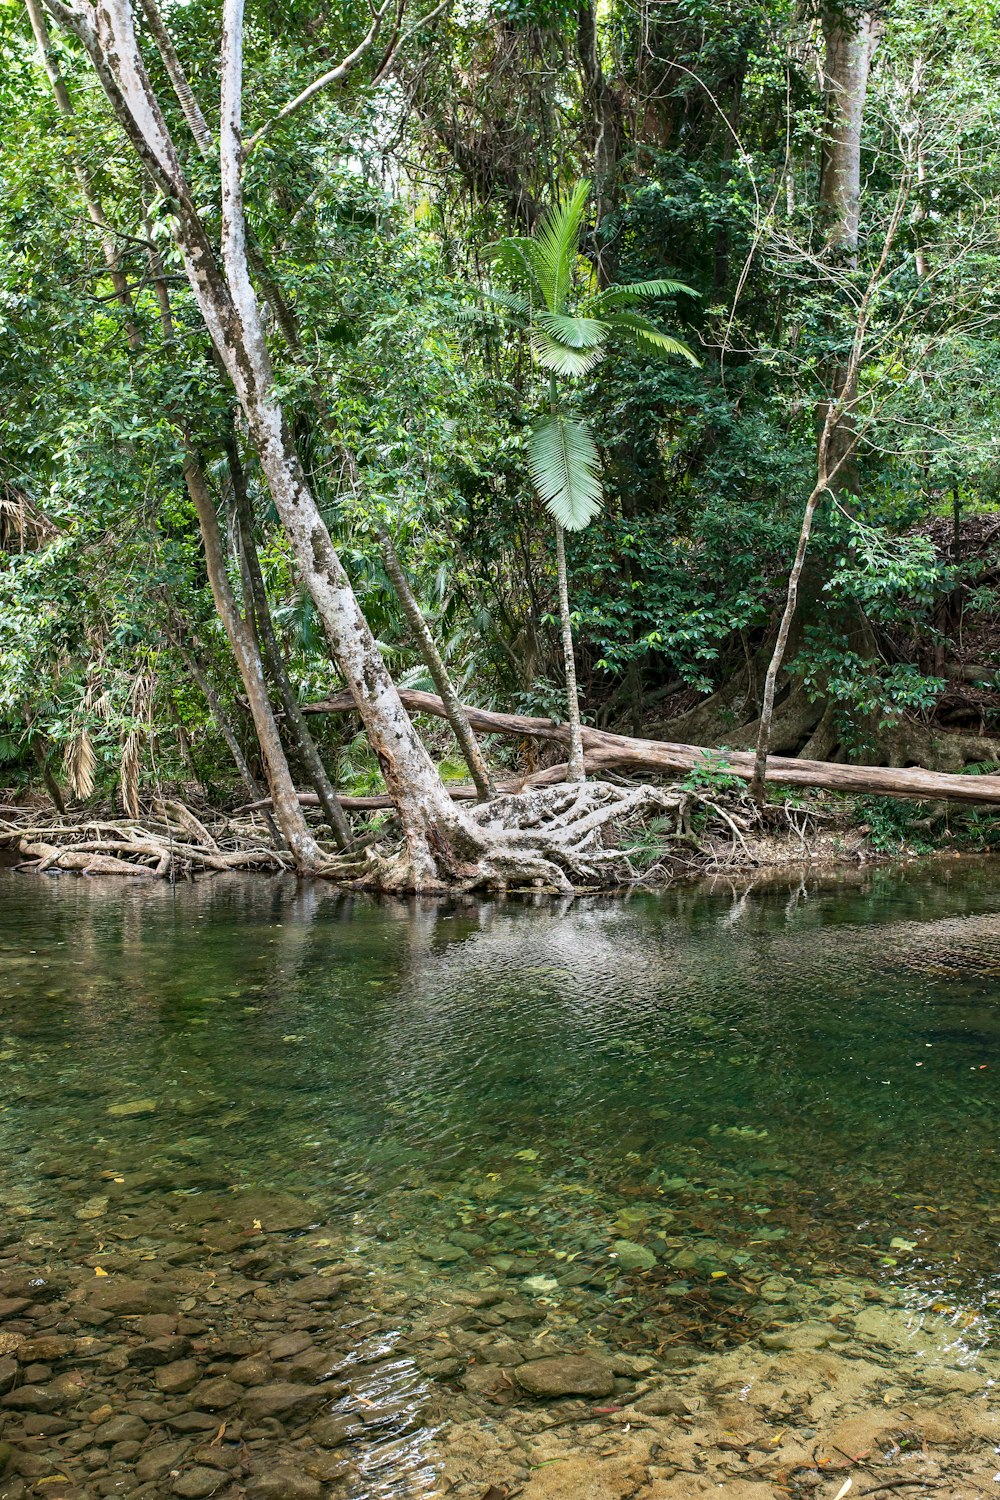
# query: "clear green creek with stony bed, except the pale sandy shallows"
397, 1151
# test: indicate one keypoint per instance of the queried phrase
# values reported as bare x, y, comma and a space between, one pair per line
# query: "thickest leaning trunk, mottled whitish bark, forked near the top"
437, 836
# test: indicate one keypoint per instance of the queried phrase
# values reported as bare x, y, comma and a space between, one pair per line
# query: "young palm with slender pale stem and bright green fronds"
549, 295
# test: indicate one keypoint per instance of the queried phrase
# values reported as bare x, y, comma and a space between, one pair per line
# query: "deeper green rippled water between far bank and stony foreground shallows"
741, 1084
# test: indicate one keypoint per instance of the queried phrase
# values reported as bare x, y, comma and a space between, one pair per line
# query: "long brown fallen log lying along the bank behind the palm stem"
609, 752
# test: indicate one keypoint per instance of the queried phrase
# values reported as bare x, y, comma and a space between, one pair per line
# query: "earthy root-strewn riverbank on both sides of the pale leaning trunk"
710, 830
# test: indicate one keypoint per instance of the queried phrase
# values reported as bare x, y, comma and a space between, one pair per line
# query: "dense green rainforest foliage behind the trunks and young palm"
702, 127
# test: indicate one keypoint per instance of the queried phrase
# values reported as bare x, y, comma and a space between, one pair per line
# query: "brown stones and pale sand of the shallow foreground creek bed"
251, 1358
